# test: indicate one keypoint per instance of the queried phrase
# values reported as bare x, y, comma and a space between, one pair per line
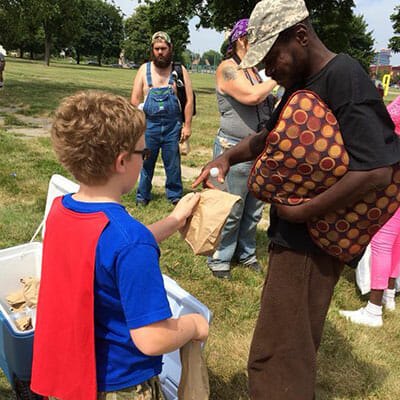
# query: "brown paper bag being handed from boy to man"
203, 230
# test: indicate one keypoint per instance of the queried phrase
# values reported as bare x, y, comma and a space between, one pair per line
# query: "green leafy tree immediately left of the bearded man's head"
138, 35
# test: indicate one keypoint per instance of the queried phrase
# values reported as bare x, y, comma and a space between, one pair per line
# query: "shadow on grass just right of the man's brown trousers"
341, 373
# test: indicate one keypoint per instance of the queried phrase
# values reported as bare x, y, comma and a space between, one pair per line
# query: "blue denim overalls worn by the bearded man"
163, 130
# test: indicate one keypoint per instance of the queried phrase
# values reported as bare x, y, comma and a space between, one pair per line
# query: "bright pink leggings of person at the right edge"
385, 253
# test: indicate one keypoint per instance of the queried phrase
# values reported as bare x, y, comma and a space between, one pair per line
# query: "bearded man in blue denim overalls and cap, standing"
164, 128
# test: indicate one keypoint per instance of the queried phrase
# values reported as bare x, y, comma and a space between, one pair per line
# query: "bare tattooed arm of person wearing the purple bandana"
232, 81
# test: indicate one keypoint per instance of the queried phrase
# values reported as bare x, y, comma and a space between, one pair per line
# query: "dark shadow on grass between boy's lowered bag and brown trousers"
235, 389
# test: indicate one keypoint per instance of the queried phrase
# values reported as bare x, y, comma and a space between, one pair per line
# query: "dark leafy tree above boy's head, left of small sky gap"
101, 30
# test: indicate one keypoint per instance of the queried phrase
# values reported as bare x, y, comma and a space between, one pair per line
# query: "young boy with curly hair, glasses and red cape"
103, 318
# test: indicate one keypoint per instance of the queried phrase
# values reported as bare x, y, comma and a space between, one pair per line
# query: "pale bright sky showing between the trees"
376, 13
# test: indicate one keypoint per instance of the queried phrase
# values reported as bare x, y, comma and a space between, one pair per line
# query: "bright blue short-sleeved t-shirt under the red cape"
128, 293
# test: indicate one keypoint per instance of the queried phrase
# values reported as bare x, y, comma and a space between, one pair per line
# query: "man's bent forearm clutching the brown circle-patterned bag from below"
352, 187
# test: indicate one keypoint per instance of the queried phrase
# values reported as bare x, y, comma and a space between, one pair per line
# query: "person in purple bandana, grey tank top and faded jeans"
245, 105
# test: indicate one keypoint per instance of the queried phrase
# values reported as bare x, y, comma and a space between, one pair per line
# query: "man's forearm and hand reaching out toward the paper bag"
247, 149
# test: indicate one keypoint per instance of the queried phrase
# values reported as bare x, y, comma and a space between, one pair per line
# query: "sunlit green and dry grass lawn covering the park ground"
355, 363
